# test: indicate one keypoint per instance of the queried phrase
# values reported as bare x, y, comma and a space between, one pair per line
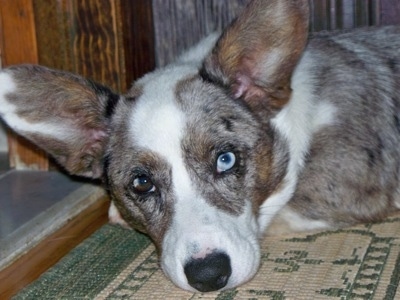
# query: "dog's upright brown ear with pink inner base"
256, 55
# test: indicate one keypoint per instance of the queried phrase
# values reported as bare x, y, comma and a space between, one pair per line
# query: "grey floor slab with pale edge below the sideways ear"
33, 204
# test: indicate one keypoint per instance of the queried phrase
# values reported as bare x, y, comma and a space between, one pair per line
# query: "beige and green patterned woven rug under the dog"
361, 262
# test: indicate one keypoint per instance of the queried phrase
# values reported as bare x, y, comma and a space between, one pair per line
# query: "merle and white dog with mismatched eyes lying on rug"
258, 125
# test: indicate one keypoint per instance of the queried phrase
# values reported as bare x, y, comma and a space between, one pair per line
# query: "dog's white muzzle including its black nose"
210, 250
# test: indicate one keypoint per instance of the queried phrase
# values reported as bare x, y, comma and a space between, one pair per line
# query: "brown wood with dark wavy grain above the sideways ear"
82, 36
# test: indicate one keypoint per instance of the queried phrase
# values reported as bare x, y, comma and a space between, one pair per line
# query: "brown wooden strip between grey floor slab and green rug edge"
30, 266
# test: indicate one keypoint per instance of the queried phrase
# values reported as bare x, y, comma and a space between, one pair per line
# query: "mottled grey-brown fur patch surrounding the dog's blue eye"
217, 124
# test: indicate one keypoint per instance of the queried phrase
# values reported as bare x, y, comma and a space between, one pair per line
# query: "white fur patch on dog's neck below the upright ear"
297, 122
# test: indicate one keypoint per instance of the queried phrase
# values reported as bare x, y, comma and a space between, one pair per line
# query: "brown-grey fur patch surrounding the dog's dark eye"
150, 213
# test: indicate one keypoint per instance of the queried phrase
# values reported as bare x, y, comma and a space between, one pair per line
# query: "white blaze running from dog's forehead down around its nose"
197, 228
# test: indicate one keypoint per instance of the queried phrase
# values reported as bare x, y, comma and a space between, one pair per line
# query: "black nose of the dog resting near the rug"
210, 273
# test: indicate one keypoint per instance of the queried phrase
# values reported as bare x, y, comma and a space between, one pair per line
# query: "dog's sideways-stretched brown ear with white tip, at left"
62, 113
